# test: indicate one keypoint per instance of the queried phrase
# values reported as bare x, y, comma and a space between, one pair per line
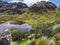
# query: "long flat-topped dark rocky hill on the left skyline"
12, 7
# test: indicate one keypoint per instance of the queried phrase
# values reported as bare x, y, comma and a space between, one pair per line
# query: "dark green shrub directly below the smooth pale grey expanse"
17, 35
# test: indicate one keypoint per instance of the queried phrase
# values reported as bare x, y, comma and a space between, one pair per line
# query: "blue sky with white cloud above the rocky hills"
30, 2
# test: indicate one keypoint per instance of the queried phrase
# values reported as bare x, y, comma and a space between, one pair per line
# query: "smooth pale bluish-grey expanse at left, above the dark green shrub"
23, 27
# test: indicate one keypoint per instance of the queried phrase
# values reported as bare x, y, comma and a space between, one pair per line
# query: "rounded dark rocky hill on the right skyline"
43, 6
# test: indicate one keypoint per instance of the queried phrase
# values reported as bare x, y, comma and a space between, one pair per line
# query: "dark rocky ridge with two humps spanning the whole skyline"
20, 8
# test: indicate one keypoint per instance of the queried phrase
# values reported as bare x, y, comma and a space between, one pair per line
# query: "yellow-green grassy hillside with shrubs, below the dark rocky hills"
42, 32
